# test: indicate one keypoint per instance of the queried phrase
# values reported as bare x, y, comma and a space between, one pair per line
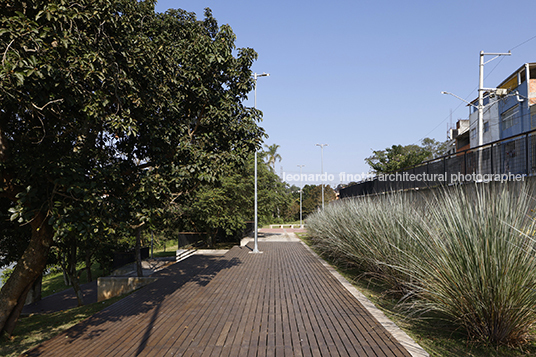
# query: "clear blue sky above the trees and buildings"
364, 75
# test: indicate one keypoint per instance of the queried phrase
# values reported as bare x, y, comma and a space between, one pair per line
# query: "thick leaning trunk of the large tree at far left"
28, 268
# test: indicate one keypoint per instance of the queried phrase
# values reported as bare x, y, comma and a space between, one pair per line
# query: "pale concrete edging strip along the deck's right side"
413, 347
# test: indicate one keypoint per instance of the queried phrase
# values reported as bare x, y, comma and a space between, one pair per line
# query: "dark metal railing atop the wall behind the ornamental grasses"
506, 159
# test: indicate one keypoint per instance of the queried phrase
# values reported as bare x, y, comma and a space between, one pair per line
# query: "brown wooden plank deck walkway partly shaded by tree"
282, 302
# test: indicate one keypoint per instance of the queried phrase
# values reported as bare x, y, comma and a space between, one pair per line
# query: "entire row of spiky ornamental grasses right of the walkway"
466, 254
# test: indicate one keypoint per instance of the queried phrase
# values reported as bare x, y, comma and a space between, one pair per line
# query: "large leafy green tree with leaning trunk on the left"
110, 111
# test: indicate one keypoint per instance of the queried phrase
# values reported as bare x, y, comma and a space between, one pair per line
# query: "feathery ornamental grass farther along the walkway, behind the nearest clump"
372, 233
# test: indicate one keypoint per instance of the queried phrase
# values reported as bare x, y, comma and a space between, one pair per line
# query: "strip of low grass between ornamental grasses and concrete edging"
436, 336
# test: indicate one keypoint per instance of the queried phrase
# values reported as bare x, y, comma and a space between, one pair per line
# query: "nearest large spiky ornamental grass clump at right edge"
478, 261
